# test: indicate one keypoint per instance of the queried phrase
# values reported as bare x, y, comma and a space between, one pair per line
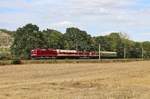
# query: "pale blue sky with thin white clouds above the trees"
97, 17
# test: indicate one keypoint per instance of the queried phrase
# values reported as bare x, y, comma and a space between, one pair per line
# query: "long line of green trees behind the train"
30, 37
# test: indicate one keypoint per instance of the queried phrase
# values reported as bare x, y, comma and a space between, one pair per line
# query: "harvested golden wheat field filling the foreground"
76, 81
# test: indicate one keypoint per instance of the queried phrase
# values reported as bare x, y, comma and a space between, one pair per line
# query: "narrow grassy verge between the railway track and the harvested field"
58, 61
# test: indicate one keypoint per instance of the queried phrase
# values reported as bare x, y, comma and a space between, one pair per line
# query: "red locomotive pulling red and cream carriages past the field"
61, 54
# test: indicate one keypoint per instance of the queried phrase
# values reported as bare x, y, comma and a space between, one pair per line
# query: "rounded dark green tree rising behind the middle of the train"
77, 39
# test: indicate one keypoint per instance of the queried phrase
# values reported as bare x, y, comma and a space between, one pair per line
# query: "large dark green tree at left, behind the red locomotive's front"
26, 39
